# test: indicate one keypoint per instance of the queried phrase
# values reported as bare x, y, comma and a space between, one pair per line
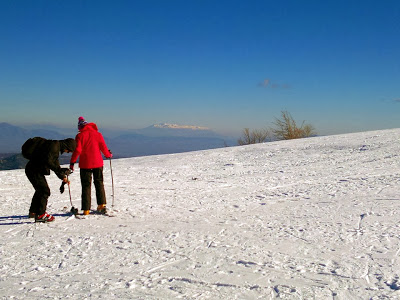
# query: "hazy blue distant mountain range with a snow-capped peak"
156, 139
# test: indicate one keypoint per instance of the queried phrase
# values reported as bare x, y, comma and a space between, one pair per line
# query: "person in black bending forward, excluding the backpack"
44, 159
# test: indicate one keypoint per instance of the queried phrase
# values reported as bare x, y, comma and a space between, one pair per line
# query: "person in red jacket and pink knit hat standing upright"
89, 145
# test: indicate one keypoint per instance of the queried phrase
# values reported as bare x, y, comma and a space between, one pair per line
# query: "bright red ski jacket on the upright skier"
89, 143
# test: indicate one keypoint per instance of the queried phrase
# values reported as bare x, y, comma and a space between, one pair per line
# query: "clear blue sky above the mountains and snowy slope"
226, 65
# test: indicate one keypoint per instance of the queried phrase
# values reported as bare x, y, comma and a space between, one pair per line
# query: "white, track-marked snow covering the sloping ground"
314, 218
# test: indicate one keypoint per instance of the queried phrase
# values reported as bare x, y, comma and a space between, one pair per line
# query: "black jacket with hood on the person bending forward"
45, 158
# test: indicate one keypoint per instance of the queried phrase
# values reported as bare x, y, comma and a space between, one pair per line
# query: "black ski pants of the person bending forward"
42, 190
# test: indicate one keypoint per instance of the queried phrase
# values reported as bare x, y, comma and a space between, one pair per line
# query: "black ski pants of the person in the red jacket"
86, 182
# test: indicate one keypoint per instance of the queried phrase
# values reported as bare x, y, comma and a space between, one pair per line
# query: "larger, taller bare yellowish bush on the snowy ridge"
287, 129
